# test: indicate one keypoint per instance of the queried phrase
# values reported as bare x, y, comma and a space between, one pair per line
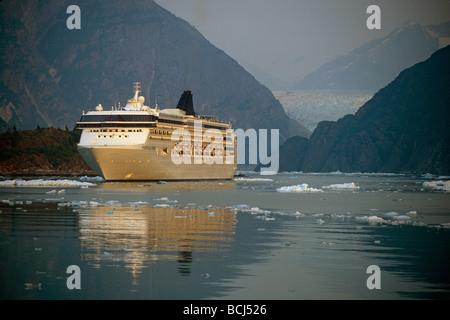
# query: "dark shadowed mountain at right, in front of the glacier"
402, 129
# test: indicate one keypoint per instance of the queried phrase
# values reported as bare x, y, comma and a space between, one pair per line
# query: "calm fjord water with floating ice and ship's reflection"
248, 238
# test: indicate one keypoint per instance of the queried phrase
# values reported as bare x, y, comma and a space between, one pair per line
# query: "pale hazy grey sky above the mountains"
290, 38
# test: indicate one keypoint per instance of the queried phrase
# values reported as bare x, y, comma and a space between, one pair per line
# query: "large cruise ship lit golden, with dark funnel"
137, 142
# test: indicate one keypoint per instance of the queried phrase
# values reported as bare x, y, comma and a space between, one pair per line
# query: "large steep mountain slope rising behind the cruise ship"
49, 74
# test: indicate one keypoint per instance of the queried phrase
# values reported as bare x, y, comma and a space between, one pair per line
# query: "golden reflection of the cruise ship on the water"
139, 233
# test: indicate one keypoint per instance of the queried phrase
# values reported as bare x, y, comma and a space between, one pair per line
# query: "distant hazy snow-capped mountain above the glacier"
378, 62
